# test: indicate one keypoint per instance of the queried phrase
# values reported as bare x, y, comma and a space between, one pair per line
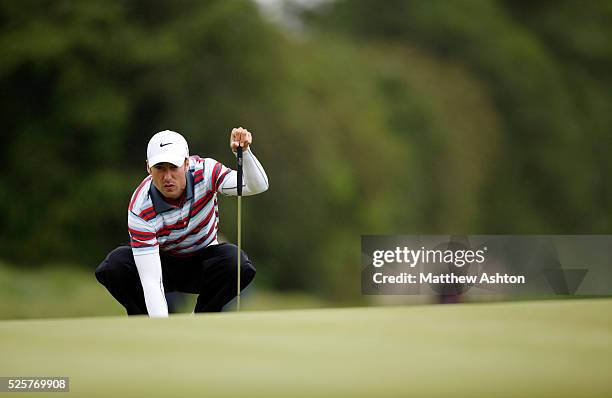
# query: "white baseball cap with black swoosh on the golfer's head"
167, 146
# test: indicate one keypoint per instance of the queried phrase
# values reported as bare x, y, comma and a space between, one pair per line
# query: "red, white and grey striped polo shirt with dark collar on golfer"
155, 225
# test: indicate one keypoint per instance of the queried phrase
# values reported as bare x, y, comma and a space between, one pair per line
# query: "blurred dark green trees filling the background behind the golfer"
474, 116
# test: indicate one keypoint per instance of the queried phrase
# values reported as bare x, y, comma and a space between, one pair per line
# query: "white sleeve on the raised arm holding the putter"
254, 179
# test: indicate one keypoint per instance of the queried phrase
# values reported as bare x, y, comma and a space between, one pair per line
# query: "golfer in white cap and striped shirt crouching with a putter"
173, 219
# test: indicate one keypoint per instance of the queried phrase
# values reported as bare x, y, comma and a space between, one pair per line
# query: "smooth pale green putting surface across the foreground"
520, 349
